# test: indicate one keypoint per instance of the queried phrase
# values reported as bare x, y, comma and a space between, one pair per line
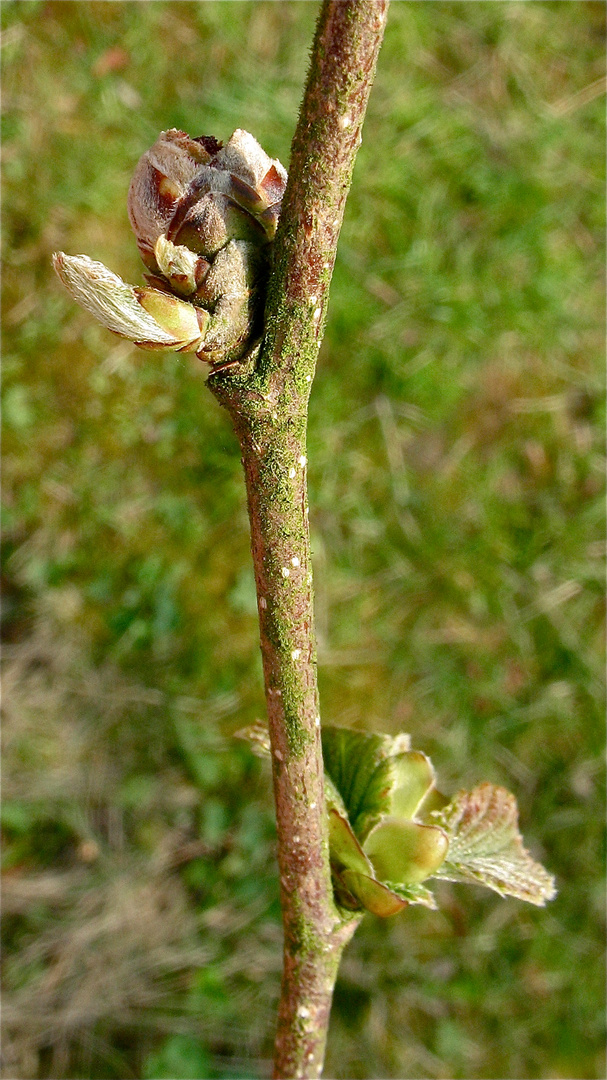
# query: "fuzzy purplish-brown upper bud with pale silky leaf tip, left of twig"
205, 217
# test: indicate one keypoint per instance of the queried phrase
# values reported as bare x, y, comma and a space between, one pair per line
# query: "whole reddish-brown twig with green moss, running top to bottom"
267, 399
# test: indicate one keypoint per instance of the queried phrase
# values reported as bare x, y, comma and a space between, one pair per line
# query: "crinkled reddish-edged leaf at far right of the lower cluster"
487, 847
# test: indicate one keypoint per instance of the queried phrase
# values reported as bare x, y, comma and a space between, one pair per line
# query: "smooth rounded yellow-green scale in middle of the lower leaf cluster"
404, 852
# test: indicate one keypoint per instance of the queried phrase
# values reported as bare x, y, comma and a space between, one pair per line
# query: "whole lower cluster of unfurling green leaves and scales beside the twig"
390, 830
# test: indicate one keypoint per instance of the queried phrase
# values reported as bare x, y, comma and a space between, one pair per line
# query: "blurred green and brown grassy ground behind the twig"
457, 515
